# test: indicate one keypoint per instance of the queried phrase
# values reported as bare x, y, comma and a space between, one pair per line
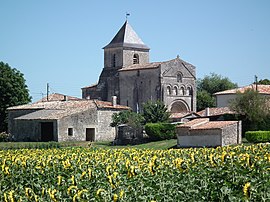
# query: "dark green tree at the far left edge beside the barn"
13, 91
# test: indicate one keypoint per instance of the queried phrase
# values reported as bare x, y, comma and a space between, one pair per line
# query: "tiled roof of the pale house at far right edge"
263, 89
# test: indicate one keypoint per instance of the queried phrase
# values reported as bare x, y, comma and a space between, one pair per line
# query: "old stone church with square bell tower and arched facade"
128, 75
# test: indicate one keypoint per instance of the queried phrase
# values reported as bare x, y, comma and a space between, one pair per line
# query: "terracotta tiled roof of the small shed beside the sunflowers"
204, 124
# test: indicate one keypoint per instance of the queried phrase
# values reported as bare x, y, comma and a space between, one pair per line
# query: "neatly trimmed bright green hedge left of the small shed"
160, 131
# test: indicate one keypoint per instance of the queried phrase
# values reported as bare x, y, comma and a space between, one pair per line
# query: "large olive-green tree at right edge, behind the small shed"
254, 108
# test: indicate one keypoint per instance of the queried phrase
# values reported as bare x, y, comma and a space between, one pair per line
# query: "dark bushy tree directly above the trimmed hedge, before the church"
155, 112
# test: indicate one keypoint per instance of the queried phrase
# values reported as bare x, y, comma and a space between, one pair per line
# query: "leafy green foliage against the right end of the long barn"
127, 117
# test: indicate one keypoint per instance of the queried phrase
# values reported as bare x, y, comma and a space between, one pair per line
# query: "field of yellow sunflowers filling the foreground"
238, 173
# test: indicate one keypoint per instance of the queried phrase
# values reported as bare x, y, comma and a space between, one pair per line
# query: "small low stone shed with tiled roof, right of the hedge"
205, 133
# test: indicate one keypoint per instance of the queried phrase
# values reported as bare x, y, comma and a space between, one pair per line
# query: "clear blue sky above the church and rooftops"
60, 42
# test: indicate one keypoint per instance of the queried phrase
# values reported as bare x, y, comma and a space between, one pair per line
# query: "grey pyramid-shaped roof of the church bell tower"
127, 37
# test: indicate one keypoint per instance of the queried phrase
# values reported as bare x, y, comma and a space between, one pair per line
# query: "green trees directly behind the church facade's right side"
209, 85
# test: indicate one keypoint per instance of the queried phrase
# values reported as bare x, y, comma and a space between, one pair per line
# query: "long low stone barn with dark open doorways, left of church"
60, 119
